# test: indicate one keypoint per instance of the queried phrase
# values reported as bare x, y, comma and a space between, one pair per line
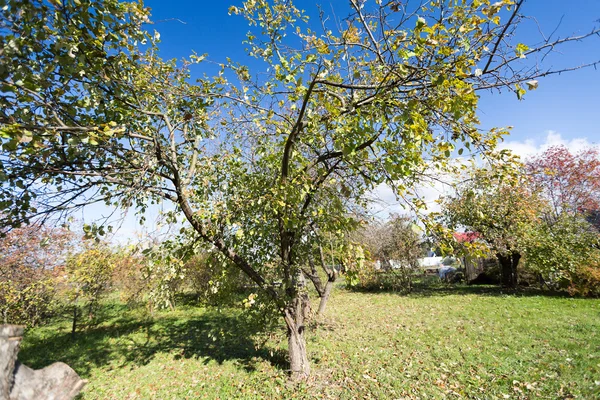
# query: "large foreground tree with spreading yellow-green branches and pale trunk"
90, 113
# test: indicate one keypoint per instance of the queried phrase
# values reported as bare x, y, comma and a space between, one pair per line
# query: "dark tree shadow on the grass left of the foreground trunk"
130, 341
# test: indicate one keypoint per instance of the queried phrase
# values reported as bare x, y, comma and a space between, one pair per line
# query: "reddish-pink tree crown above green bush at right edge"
570, 182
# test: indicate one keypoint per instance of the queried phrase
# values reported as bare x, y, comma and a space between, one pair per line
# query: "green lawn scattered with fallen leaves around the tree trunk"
435, 343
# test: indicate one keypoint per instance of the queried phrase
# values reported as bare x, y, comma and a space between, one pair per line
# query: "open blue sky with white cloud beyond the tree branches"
564, 110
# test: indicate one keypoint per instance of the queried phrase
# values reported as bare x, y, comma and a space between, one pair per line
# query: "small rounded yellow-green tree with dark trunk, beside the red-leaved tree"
500, 210
